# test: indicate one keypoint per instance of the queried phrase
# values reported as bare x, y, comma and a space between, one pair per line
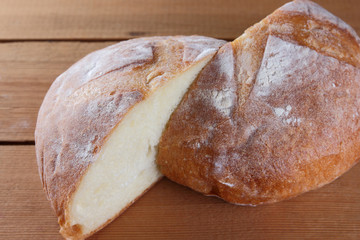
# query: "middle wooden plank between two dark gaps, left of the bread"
27, 70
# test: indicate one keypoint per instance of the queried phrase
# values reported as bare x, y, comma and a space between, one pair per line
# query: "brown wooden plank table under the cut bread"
40, 39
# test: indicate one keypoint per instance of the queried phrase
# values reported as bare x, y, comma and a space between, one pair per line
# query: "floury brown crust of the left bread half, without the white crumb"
86, 102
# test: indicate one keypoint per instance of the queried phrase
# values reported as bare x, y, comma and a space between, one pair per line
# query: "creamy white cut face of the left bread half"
125, 166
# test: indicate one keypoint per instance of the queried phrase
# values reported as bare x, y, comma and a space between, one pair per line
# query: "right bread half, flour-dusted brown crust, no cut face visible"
274, 114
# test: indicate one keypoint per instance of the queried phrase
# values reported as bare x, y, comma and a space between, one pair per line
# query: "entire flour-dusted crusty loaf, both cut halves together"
261, 119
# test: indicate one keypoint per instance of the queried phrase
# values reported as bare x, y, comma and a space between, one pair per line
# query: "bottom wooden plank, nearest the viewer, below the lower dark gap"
170, 211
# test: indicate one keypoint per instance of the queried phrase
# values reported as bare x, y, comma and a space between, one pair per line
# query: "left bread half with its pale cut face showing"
101, 121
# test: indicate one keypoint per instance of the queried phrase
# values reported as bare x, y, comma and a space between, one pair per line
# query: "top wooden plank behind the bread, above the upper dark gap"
123, 19
